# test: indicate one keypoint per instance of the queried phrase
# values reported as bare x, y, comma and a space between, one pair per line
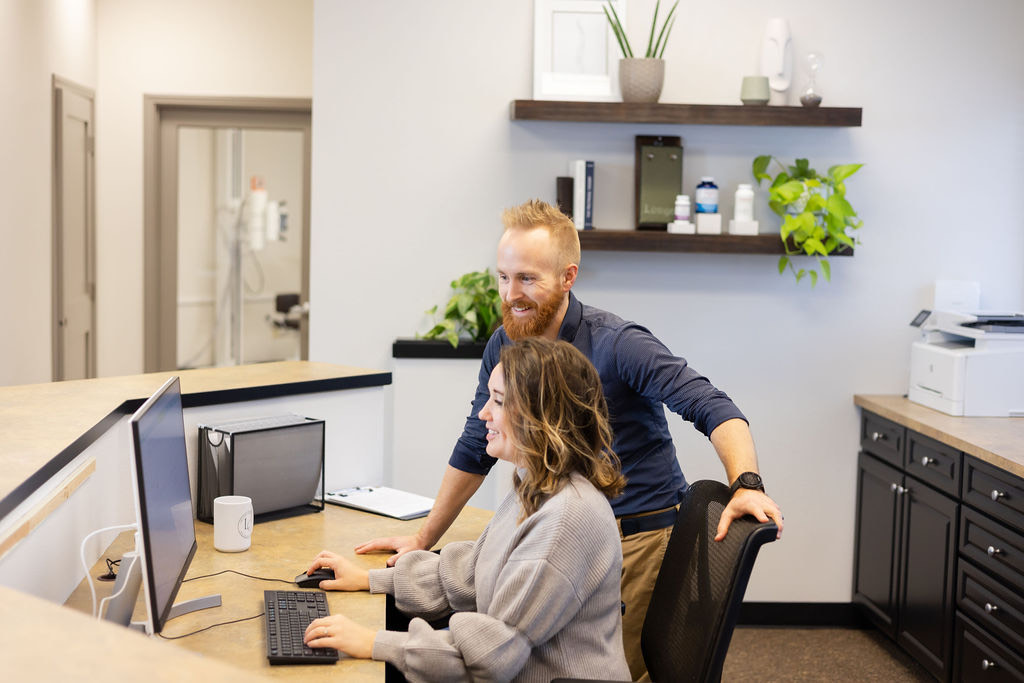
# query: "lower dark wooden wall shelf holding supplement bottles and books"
658, 241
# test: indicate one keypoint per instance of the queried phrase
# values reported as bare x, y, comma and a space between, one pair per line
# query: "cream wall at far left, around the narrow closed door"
38, 38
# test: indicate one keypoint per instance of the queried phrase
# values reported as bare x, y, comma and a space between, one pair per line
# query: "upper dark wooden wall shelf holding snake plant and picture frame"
716, 115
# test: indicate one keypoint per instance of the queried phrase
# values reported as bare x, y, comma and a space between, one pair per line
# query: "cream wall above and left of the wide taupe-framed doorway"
191, 48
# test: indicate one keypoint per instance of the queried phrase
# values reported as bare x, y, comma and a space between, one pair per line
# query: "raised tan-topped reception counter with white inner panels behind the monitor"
65, 451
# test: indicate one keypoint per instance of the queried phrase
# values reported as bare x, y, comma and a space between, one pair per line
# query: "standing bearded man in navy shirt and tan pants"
538, 263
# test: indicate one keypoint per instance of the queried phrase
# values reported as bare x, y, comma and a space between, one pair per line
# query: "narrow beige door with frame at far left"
74, 233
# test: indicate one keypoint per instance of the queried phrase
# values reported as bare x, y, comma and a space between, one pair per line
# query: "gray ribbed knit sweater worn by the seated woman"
534, 601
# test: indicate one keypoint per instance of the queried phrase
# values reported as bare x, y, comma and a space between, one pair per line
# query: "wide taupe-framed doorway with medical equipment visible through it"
228, 232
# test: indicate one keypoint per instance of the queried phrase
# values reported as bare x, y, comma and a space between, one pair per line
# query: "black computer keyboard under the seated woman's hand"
288, 615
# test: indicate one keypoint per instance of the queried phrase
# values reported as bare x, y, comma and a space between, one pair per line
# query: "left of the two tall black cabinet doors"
878, 541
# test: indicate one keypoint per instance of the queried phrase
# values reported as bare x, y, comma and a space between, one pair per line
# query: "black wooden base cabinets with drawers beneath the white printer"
940, 553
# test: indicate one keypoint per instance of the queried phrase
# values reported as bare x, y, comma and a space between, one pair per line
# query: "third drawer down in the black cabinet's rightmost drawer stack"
995, 607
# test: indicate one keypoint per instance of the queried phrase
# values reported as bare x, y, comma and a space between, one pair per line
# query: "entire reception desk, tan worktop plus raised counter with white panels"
65, 451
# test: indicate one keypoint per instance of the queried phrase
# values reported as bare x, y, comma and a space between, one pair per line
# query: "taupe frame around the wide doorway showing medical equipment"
162, 116
